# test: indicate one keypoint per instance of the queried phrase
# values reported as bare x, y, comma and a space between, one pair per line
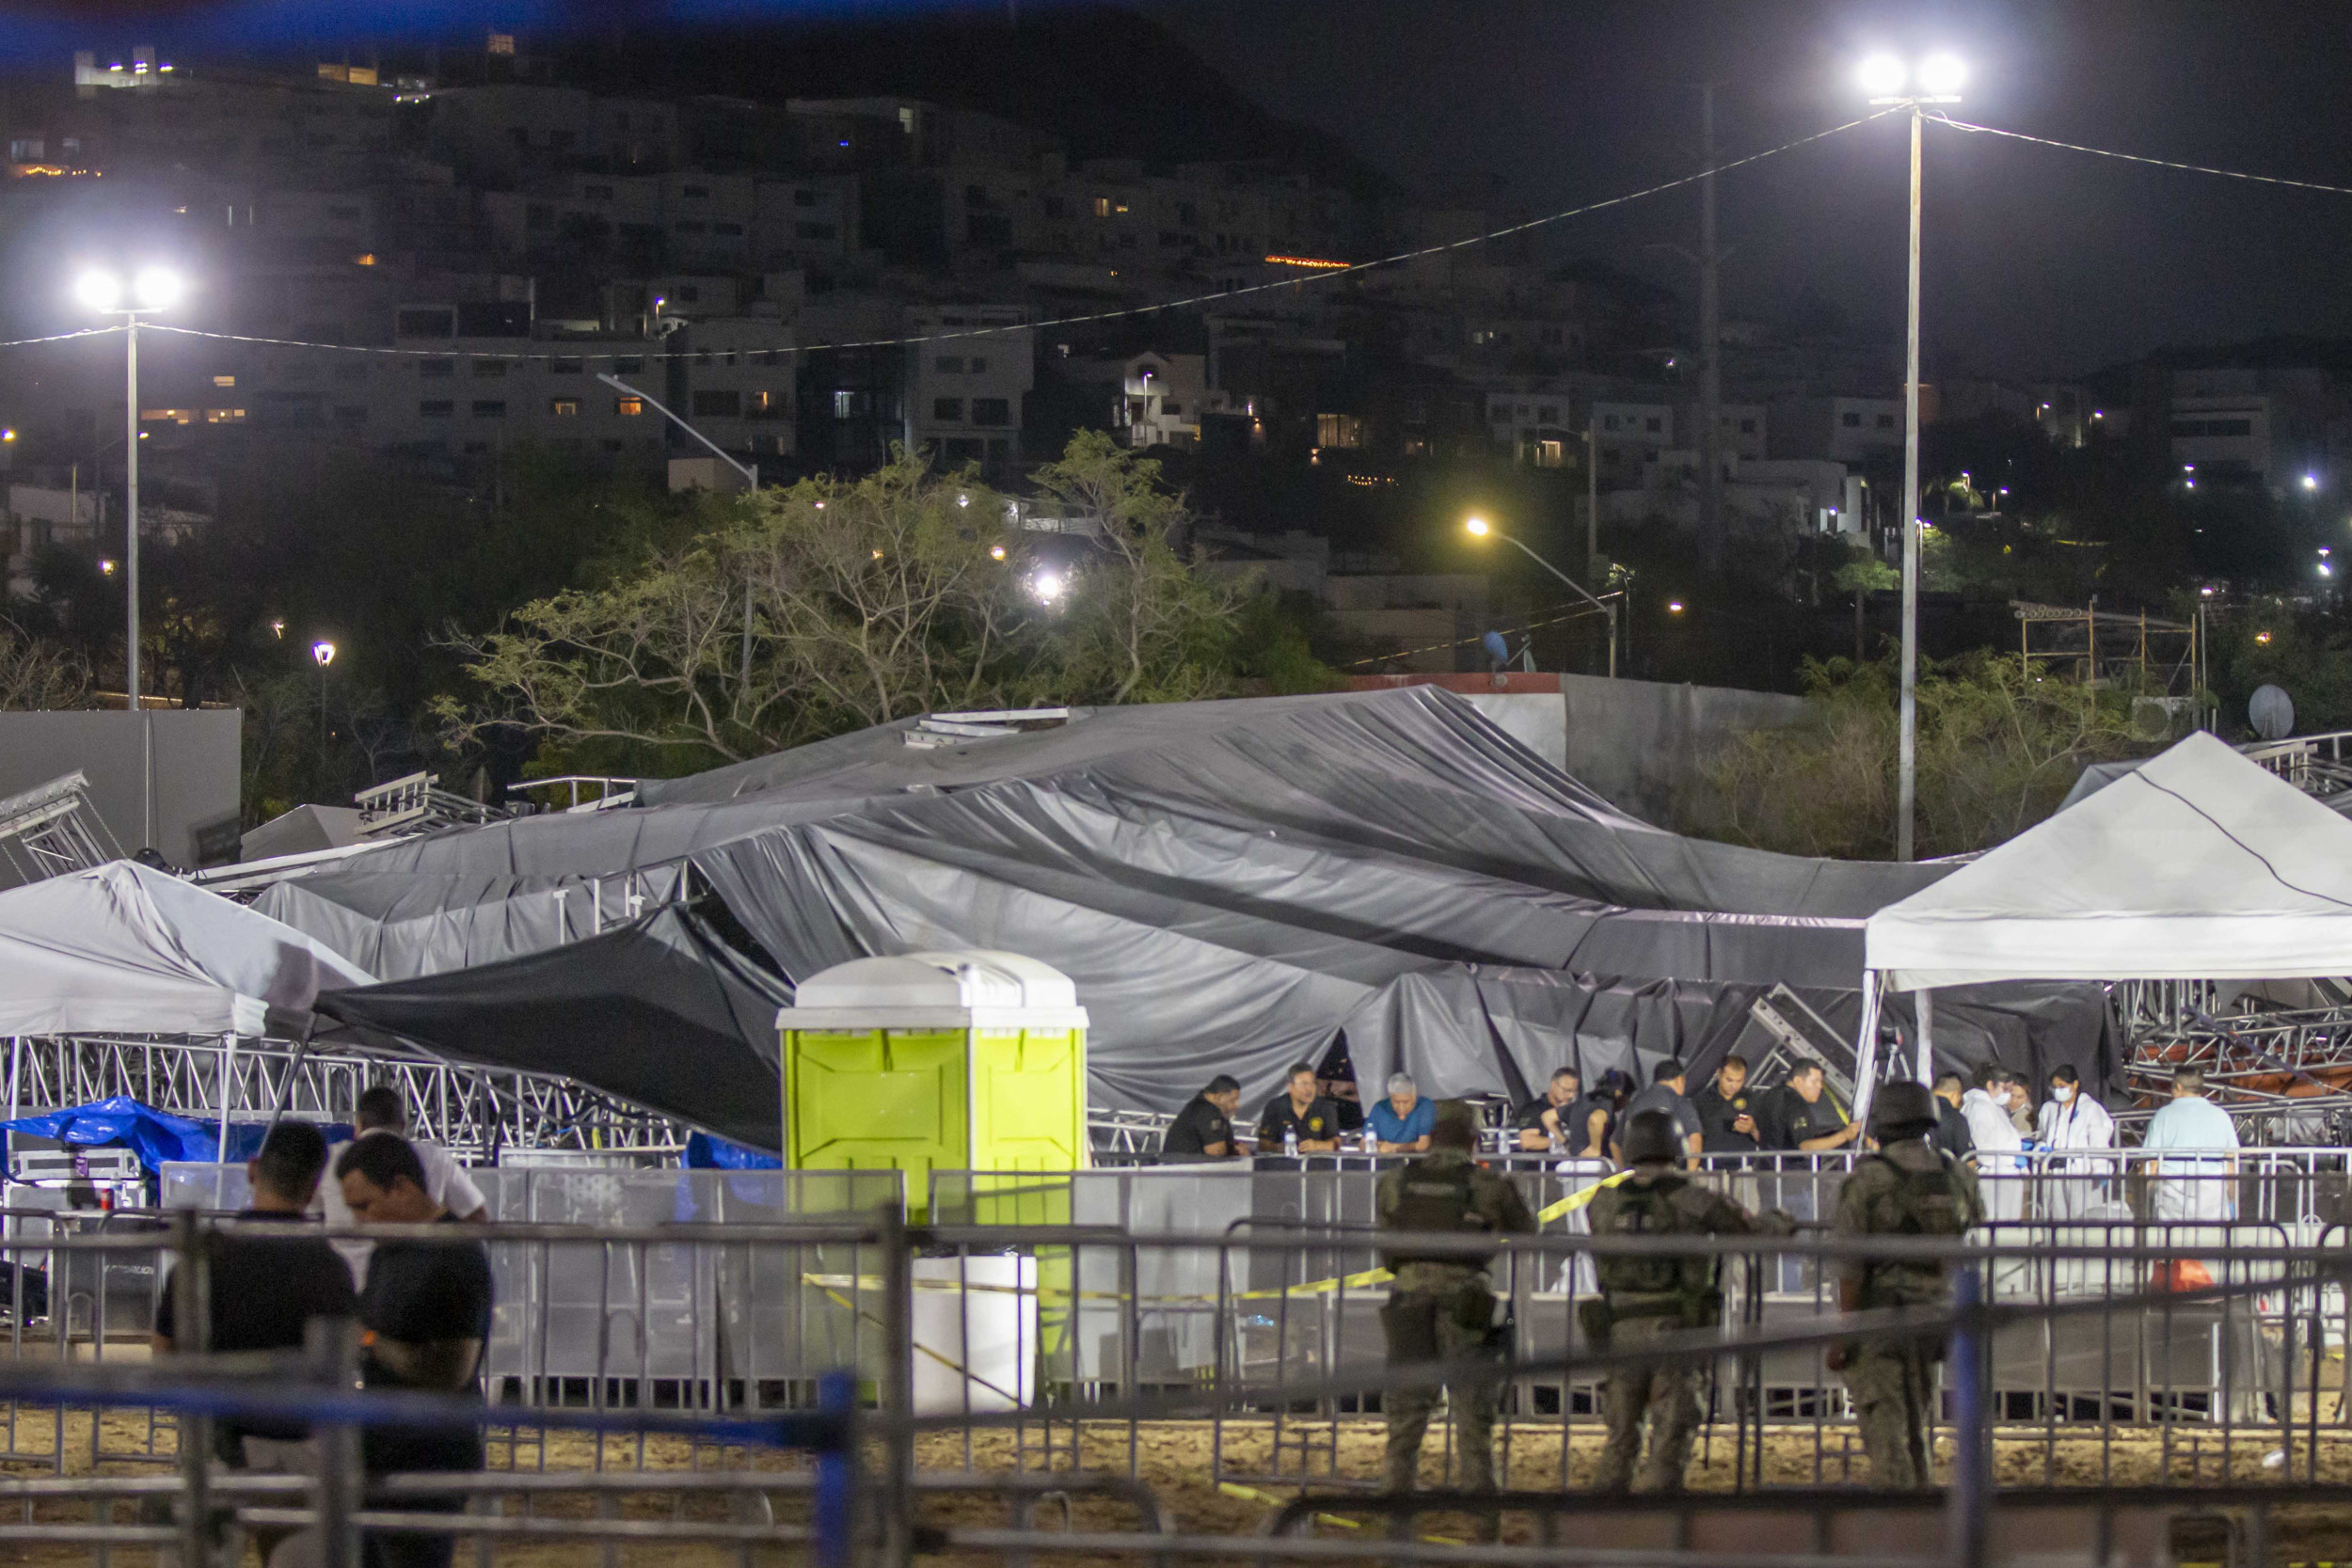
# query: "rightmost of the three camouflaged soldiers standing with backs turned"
1906, 1188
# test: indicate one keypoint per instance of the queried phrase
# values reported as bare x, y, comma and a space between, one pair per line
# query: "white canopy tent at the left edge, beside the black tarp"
131, 951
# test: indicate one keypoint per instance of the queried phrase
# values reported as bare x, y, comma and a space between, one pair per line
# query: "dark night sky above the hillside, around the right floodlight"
2038, 262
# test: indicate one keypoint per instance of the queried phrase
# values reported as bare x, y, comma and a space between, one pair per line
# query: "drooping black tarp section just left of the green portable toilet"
660, 1012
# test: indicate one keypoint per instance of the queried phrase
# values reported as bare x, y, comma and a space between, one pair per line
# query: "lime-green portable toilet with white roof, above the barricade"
935, 1061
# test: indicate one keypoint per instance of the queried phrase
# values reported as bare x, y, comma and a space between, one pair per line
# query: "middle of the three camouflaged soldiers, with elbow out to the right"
1652, 1299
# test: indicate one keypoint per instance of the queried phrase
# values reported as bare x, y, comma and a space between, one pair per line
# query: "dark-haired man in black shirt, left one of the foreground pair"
262, 1289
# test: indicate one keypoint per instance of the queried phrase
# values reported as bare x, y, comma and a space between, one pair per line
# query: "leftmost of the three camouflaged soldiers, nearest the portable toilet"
1443, 1308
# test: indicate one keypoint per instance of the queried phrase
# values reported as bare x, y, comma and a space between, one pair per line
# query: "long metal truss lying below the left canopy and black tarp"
472, 1111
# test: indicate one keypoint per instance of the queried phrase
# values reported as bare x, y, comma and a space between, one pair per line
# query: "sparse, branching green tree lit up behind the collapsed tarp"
838, 605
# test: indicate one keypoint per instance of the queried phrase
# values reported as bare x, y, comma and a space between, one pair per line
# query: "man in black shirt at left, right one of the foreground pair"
427, 1313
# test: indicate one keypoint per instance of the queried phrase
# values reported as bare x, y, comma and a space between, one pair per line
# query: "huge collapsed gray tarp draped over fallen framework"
1224, 880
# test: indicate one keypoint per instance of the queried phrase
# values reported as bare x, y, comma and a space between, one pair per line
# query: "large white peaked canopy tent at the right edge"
2196, 866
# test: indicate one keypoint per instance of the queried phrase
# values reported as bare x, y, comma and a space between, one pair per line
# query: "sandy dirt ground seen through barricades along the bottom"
1175, 1459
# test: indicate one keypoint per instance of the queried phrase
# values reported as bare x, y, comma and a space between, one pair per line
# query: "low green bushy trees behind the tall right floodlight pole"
1998, 751
